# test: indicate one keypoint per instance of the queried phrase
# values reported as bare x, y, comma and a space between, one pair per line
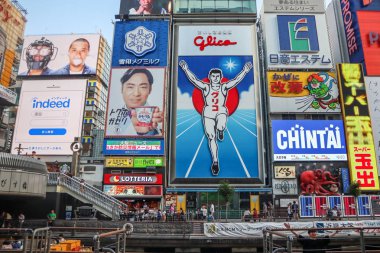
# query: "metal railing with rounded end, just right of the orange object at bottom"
125, 231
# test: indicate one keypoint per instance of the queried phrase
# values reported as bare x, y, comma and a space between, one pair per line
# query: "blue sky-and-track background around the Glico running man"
238, 154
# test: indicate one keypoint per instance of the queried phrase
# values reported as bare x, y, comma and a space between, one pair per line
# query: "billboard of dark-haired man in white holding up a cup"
136, 101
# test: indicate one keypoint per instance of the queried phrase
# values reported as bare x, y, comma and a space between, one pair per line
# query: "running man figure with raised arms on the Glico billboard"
215, 112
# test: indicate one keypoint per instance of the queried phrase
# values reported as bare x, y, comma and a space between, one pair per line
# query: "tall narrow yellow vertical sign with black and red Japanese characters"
360, 145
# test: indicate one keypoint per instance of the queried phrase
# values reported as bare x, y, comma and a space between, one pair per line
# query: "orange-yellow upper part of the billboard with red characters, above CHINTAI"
298, 84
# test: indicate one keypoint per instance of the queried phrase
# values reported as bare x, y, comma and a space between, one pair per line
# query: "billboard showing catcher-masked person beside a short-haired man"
59, 55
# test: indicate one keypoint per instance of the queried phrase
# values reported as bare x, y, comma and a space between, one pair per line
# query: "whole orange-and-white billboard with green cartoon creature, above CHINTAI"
311, 92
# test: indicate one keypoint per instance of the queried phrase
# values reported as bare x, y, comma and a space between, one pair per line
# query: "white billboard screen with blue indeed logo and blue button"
50, 116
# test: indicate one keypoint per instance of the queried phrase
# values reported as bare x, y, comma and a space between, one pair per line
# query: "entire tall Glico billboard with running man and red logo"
215, 121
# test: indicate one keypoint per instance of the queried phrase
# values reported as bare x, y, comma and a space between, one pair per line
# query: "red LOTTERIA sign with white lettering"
132, 179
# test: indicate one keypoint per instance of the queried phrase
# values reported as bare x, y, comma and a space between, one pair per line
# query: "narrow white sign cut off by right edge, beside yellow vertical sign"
373, 96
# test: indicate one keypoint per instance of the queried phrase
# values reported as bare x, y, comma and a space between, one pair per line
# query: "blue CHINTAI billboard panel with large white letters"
333, 128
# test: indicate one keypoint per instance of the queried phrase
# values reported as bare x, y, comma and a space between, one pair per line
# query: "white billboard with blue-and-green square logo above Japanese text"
297, 41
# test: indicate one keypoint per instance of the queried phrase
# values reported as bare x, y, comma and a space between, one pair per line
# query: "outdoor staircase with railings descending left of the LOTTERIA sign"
87, 194
